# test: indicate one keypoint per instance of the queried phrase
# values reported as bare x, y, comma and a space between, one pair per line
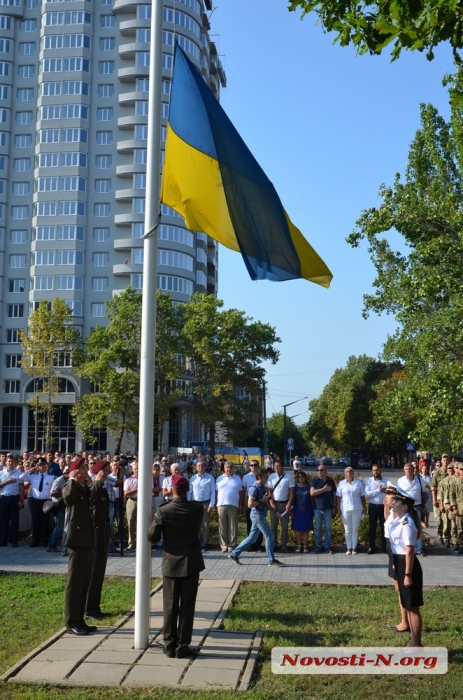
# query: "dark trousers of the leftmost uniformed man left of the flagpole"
79, 572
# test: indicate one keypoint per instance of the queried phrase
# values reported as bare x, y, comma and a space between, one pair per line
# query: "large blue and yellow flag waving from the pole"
213, 180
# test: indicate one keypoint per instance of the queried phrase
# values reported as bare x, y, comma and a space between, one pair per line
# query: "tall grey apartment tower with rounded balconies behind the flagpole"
74, 80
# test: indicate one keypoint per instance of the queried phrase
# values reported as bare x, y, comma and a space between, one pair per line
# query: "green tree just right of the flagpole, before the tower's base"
225, 351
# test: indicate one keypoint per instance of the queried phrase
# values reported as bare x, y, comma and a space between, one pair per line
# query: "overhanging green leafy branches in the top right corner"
371, 26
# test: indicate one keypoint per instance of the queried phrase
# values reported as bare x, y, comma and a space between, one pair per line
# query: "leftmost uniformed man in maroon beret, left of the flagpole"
80, 542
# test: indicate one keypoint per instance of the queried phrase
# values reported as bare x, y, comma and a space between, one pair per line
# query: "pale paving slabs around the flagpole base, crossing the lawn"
107, 657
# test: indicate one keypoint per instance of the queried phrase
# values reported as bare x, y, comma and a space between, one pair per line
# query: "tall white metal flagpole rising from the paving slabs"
148, 335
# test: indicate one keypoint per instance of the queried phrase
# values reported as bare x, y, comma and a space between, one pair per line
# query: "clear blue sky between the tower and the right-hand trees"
328, 127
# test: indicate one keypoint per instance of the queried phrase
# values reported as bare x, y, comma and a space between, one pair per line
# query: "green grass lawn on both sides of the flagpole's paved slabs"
31, 610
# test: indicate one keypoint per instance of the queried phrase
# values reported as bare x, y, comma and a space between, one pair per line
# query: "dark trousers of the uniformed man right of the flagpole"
179, 598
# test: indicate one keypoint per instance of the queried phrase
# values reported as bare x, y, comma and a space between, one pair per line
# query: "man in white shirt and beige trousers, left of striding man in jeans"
229, 494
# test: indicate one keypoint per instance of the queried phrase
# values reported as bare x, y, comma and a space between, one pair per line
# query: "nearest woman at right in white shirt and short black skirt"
404, 530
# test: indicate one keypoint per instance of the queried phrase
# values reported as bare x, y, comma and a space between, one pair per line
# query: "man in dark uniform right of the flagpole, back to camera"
178, 522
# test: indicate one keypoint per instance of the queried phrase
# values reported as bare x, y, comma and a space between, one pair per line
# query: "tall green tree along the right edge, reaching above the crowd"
421, 281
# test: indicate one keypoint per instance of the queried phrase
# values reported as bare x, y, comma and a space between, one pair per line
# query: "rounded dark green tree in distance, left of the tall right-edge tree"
342, 414
